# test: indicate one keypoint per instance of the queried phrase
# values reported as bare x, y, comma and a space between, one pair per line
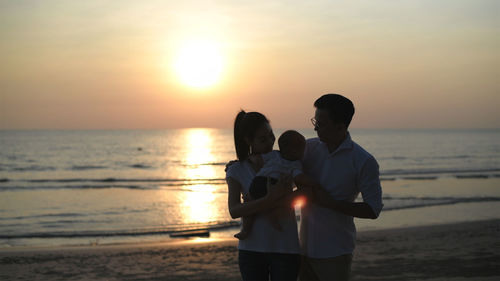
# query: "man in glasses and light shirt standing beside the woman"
344, 169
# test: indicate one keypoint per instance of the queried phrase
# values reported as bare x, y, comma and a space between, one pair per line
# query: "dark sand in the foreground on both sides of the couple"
466, 251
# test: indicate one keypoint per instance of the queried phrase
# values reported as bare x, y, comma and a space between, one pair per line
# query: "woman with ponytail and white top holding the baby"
266, 252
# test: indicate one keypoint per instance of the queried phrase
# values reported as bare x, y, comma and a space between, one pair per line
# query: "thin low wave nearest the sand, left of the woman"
133, 232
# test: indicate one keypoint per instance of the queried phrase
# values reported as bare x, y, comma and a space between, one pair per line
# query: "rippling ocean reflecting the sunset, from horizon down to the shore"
112, 186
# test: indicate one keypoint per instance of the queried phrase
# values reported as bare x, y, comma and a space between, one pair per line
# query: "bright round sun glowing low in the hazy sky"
199, 64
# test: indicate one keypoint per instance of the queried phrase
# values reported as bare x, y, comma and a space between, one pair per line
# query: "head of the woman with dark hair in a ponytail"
252, 134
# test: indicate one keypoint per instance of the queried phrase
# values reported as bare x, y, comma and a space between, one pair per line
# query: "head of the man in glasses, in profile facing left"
333, 116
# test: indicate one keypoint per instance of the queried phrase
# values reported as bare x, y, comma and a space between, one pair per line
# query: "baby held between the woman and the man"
285, 161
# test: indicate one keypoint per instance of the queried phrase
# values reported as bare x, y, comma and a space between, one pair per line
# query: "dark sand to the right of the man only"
465, 251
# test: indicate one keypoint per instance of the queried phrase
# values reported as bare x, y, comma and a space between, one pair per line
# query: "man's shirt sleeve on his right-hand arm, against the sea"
370, 188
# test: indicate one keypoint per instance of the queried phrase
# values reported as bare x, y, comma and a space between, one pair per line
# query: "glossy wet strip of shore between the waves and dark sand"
393, 220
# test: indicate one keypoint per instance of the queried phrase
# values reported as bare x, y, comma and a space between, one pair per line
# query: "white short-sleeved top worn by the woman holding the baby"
264, 237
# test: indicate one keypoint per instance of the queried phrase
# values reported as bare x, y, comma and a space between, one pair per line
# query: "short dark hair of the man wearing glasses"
340, 109
